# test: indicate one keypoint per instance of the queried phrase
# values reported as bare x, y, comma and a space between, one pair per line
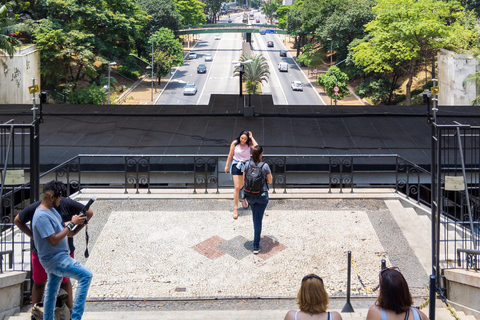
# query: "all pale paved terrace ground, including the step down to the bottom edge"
172, 254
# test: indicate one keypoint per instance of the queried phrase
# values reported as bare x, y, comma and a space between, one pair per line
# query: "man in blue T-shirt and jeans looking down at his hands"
50, 234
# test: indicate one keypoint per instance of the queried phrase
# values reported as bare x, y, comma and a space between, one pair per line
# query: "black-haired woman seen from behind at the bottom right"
394, 300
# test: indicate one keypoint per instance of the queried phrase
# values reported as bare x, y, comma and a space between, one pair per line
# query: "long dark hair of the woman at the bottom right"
394, 293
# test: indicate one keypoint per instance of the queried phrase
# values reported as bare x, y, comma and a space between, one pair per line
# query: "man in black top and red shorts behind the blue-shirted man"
67, 209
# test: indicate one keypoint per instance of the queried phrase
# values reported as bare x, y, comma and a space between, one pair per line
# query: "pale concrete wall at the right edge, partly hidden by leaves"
453, 68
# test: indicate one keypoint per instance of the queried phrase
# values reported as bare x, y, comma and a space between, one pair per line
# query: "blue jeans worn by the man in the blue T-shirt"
71, 268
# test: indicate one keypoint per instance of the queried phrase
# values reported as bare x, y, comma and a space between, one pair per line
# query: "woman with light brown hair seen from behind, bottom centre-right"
312, 301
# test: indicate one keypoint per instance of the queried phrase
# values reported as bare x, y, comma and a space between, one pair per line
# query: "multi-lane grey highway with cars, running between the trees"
219, 76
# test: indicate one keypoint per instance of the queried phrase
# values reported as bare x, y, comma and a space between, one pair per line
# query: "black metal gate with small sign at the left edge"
19, 162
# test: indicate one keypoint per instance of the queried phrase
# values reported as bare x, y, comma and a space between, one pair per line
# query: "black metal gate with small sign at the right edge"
455, 196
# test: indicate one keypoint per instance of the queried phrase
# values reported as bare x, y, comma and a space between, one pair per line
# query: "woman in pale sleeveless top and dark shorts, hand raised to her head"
239, 154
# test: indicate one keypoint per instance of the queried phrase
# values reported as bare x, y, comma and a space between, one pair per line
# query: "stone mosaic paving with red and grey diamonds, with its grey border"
192, 248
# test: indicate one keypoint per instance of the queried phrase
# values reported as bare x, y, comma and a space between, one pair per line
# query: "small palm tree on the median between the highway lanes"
255, 72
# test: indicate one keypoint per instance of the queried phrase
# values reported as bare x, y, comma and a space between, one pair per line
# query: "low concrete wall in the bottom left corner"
11, 293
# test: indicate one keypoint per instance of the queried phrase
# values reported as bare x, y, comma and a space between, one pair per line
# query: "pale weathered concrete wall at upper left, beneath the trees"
16, 76
